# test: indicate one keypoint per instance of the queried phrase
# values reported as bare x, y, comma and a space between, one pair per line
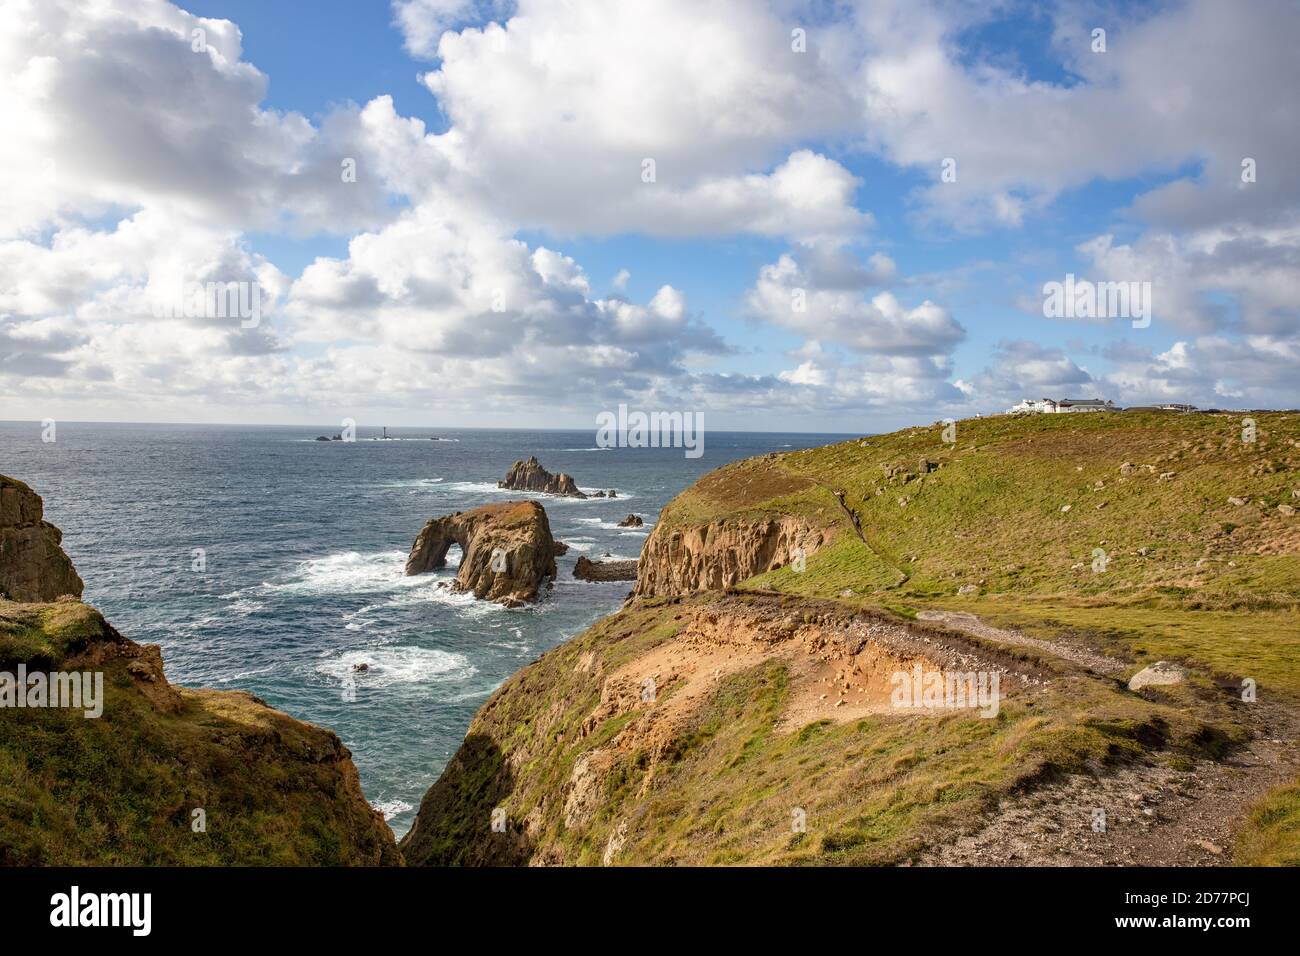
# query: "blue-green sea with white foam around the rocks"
263, 560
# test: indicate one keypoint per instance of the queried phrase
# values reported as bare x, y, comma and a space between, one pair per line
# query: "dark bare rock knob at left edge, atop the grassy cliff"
33, 565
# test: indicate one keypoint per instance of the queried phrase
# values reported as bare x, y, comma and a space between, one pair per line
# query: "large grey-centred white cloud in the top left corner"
114, 107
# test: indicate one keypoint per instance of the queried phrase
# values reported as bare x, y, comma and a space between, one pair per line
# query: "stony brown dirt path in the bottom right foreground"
1154, 816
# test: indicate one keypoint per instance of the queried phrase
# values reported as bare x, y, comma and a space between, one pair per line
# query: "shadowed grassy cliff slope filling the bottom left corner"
163, 775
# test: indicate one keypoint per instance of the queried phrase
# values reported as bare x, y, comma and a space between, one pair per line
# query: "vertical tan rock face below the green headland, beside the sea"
722, 555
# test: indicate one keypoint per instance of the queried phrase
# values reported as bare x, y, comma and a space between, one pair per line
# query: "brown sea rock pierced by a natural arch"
508, 551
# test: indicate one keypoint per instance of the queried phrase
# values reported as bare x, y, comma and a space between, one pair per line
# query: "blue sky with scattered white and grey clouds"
787, 217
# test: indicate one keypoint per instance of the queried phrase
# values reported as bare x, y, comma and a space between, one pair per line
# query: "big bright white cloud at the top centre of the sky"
556, 113
